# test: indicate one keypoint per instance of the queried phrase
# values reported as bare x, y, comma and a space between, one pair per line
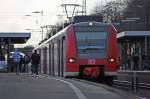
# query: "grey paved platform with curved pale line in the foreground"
26, 86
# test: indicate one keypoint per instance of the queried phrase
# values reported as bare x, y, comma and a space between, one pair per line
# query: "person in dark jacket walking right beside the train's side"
35, 58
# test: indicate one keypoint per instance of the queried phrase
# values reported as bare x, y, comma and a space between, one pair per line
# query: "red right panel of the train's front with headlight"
112, 52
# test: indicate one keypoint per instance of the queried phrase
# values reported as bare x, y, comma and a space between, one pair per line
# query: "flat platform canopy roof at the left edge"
15, 37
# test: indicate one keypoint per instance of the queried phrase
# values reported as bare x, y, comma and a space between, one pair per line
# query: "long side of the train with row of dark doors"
53, 56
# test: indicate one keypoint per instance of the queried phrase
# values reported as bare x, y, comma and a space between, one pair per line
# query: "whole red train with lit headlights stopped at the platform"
84, 49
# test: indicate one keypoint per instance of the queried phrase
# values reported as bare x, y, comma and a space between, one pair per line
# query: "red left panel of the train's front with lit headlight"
72, 68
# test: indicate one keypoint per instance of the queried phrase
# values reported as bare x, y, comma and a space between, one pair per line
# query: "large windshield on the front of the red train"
91, 44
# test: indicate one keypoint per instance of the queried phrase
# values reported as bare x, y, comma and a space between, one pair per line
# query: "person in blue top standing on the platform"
16, 60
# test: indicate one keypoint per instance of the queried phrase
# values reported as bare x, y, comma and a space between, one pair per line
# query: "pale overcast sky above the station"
17, 16
